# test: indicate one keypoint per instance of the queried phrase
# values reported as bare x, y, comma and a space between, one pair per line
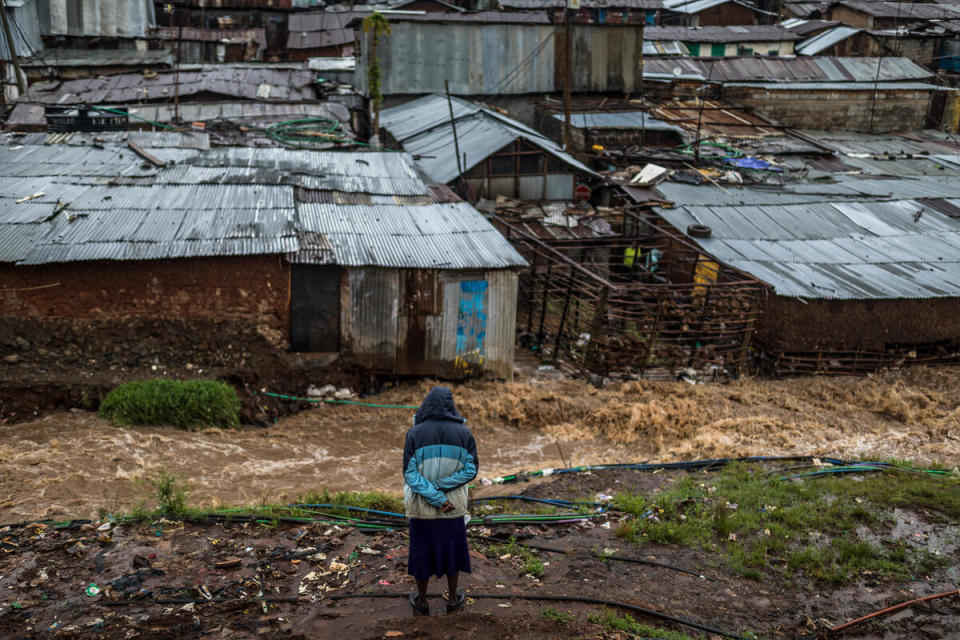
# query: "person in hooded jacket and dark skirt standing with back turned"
439, 459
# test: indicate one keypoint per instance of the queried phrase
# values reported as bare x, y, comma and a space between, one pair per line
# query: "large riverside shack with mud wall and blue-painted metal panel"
334, 252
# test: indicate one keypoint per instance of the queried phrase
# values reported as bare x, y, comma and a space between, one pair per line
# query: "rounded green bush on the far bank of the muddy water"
190, 404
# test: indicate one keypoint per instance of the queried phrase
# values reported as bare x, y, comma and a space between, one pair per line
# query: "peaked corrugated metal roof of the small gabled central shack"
423, 129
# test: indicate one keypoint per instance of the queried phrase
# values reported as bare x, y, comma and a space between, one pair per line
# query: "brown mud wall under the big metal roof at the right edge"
790, 325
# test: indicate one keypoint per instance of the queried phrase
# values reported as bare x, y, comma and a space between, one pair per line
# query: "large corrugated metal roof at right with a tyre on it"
858, 238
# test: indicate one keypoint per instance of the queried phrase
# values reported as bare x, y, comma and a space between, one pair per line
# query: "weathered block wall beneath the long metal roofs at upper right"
896, 110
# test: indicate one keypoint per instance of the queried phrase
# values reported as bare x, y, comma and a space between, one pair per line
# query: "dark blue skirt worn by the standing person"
438, 547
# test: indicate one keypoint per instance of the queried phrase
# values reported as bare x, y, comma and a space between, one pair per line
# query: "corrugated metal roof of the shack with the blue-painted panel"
100, 203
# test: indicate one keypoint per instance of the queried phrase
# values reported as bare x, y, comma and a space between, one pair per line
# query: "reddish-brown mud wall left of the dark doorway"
252, 290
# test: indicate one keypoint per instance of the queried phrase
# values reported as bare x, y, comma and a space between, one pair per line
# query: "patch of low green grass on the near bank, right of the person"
818, 525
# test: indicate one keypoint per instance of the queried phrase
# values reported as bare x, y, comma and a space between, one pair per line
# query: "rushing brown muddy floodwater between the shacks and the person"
73, 464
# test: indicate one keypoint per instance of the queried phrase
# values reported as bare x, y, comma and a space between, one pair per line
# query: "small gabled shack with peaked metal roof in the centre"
499, 156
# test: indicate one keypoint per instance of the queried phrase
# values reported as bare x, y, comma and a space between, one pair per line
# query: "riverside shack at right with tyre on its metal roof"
859, 249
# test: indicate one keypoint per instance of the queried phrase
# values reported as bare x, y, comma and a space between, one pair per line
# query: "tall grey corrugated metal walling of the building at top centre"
497, 53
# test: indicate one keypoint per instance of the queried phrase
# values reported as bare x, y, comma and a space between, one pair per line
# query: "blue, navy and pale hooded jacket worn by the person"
439, 458
